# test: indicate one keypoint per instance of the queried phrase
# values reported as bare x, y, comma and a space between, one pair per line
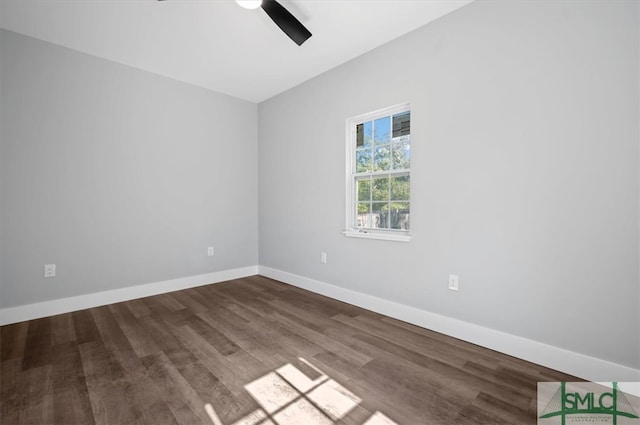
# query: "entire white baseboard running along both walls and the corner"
570, 362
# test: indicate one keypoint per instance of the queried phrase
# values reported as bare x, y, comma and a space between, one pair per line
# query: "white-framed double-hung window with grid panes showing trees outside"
378, 174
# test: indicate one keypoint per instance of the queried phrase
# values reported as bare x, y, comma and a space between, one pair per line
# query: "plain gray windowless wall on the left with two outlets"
118, 176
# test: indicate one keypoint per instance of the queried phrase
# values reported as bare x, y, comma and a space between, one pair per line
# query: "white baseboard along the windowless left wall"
81, 302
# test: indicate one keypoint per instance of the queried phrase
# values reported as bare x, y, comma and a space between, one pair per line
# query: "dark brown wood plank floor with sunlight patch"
254, 351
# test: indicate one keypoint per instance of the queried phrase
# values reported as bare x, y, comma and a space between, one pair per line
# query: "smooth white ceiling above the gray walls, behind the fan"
215, 43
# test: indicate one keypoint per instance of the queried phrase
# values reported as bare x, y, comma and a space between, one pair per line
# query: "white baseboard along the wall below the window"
576, 364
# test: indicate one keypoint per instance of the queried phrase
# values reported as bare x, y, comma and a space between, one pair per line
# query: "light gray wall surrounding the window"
524, 172
